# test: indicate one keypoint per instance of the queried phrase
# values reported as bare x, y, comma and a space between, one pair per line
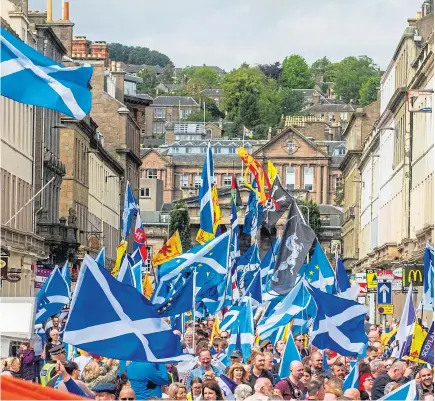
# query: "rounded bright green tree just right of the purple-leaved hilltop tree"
296, 73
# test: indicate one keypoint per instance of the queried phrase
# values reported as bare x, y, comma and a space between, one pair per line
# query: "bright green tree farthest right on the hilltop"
350, 74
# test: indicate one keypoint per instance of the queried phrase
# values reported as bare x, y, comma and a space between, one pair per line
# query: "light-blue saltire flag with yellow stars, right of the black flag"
318, 272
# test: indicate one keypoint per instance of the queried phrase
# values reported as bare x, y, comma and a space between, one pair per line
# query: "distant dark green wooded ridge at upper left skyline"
137, 55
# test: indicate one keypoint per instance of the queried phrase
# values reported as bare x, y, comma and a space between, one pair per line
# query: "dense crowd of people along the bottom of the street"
319, 375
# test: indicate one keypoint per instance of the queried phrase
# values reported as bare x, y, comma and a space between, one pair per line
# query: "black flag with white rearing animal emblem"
295, 244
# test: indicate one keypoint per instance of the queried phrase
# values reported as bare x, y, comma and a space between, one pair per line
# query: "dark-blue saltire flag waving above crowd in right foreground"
339, 323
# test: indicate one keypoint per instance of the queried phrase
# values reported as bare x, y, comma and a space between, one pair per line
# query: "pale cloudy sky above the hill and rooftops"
227, 33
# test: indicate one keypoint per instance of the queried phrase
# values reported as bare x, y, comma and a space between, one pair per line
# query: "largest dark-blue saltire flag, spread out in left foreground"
123, 324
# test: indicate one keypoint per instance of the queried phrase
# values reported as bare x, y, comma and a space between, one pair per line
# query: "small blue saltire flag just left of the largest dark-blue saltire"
52, 297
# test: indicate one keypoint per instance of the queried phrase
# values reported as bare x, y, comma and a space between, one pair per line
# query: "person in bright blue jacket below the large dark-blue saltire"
146, 378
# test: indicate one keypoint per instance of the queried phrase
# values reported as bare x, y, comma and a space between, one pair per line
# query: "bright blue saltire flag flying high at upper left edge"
29, 77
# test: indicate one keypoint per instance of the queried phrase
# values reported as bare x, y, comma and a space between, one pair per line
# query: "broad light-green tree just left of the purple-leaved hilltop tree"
237, 84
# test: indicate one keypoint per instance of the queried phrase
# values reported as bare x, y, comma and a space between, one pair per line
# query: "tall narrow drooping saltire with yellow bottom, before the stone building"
206, 217
